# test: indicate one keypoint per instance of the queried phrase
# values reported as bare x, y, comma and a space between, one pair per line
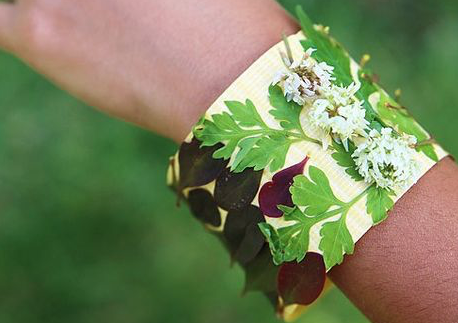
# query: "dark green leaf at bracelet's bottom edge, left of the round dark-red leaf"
261, 273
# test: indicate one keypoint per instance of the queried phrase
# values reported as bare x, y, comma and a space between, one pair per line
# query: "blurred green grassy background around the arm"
88, 230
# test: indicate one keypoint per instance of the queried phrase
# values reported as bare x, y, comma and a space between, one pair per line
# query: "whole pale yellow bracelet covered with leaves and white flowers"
296, 161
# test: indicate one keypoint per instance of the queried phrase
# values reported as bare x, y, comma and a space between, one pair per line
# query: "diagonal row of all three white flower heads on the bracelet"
384, 158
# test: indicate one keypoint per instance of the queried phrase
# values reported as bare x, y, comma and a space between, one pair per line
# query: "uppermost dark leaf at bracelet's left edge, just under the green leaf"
197, 166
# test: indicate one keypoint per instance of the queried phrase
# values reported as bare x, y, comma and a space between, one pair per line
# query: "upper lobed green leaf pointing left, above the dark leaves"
245, 136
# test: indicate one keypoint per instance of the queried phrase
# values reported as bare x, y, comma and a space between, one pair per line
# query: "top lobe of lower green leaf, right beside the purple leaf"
314, 193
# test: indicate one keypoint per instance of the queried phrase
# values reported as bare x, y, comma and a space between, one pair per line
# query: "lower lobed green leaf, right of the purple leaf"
315, 194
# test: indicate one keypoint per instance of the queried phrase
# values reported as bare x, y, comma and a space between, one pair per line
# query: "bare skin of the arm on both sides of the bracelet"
160, 66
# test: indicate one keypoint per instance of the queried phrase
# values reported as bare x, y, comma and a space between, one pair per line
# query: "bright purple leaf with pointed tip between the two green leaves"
276, 192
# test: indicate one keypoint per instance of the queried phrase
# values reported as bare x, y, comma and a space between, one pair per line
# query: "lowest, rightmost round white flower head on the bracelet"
387, 160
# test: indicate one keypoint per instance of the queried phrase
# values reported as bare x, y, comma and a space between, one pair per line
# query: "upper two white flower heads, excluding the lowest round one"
332, 108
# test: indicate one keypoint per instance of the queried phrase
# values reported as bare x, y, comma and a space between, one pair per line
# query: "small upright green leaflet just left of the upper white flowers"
287, 113
